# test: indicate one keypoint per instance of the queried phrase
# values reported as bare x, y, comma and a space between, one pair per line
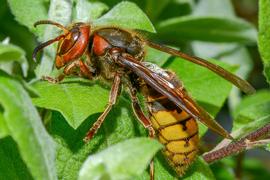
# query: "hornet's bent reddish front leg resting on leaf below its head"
70, 69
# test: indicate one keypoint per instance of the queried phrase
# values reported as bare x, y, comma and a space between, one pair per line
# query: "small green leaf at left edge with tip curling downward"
10, 53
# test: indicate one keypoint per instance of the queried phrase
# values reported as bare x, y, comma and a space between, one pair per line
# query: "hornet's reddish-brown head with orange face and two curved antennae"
72, 43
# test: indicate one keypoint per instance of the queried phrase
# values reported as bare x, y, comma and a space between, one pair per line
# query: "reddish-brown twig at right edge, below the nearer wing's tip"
247, 142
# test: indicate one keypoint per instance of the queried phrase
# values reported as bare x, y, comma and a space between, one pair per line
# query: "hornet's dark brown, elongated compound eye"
66, 44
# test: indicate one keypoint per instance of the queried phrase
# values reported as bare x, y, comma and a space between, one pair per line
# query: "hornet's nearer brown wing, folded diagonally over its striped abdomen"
176, 95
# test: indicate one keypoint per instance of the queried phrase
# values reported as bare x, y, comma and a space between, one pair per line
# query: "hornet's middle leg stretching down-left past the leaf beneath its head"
112, 100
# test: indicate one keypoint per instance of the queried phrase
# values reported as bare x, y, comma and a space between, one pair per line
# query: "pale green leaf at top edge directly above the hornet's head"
87, 11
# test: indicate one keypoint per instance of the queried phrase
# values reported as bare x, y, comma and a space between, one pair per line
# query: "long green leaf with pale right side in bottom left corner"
25, 127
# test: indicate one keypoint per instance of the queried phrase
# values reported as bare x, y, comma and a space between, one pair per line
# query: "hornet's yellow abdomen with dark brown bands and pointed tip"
174, 128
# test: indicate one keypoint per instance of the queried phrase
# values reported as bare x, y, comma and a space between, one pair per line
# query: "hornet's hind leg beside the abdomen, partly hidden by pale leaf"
143, 120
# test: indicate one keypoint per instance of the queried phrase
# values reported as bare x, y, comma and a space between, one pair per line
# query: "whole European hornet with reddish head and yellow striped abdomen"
117, 56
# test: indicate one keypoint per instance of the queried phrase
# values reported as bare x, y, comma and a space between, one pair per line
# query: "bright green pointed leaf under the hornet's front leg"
75, 99
